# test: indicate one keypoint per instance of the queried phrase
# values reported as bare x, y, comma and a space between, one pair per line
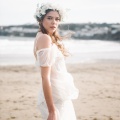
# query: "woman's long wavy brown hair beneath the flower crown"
56, 38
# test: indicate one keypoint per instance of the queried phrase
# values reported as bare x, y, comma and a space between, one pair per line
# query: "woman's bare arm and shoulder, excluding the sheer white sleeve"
45, 42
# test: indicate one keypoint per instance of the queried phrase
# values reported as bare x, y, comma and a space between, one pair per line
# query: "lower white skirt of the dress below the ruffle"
65, 110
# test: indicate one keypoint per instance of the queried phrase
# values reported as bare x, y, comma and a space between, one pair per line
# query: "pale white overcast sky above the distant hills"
17, 12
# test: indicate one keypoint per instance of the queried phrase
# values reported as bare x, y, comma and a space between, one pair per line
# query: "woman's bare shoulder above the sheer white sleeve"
43, 41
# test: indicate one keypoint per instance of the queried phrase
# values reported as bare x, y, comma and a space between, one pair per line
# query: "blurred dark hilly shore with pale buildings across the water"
93, 31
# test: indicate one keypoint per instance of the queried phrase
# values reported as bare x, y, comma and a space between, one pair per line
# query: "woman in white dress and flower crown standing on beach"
57, 89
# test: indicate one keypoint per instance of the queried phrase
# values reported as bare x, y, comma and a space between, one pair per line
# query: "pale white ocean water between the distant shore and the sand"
19, 51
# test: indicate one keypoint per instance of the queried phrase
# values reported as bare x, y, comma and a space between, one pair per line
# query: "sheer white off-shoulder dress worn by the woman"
62, 84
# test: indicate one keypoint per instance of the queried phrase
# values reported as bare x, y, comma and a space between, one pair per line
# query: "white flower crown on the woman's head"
40, 11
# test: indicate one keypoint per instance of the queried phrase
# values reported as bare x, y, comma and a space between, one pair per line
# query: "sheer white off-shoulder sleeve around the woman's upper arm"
45, 57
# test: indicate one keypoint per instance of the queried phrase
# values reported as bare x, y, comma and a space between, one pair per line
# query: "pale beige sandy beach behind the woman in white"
98, 83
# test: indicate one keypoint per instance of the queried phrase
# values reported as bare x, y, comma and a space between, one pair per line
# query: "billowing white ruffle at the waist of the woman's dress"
64, 88
